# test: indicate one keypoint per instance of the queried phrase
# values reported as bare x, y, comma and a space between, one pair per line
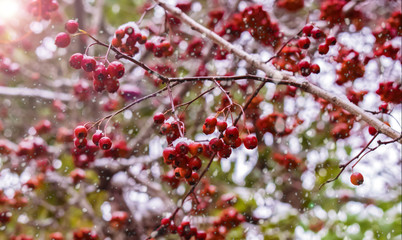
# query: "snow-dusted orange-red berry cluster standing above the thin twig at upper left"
127, 37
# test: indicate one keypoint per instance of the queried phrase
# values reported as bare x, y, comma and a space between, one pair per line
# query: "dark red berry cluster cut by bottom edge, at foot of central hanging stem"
184, 230
